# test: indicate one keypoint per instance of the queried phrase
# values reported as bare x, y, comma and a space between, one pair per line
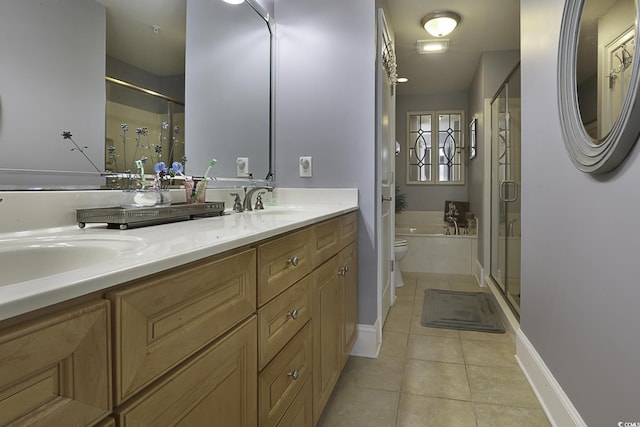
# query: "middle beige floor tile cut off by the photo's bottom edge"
423, 411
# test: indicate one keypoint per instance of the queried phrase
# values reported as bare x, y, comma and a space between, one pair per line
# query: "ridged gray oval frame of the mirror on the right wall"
588, 155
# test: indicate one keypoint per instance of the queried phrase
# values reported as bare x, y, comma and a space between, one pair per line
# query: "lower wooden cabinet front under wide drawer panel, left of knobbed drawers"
216, 388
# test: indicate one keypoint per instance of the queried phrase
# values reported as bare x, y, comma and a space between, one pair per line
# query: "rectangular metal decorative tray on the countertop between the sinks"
123, 218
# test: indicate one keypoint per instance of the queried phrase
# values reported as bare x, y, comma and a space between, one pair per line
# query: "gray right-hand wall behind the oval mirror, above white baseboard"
580, 246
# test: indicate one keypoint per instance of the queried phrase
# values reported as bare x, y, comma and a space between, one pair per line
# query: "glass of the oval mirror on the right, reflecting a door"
606, 46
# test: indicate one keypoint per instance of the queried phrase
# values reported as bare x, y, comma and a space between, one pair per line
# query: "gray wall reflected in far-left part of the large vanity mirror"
51, 80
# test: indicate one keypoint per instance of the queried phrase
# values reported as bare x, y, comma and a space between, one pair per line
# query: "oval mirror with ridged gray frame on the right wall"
598, 78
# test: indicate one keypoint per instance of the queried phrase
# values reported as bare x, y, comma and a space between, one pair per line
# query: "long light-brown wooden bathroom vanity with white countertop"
208, 324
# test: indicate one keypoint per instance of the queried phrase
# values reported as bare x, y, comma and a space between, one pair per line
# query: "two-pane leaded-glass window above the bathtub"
436, 151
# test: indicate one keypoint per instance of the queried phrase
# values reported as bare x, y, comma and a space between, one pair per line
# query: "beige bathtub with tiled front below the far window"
431, 251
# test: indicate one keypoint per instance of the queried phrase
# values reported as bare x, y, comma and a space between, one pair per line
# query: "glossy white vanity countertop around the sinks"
157, 248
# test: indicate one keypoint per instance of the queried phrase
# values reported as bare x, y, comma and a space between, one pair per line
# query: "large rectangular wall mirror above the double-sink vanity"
56, 56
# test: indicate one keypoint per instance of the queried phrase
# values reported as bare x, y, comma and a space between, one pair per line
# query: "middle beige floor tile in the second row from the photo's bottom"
436, 379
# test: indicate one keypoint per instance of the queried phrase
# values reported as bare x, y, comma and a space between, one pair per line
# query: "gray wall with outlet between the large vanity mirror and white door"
325, 108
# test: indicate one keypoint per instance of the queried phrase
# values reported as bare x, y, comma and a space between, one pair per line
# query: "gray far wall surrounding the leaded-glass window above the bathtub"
426, 197
